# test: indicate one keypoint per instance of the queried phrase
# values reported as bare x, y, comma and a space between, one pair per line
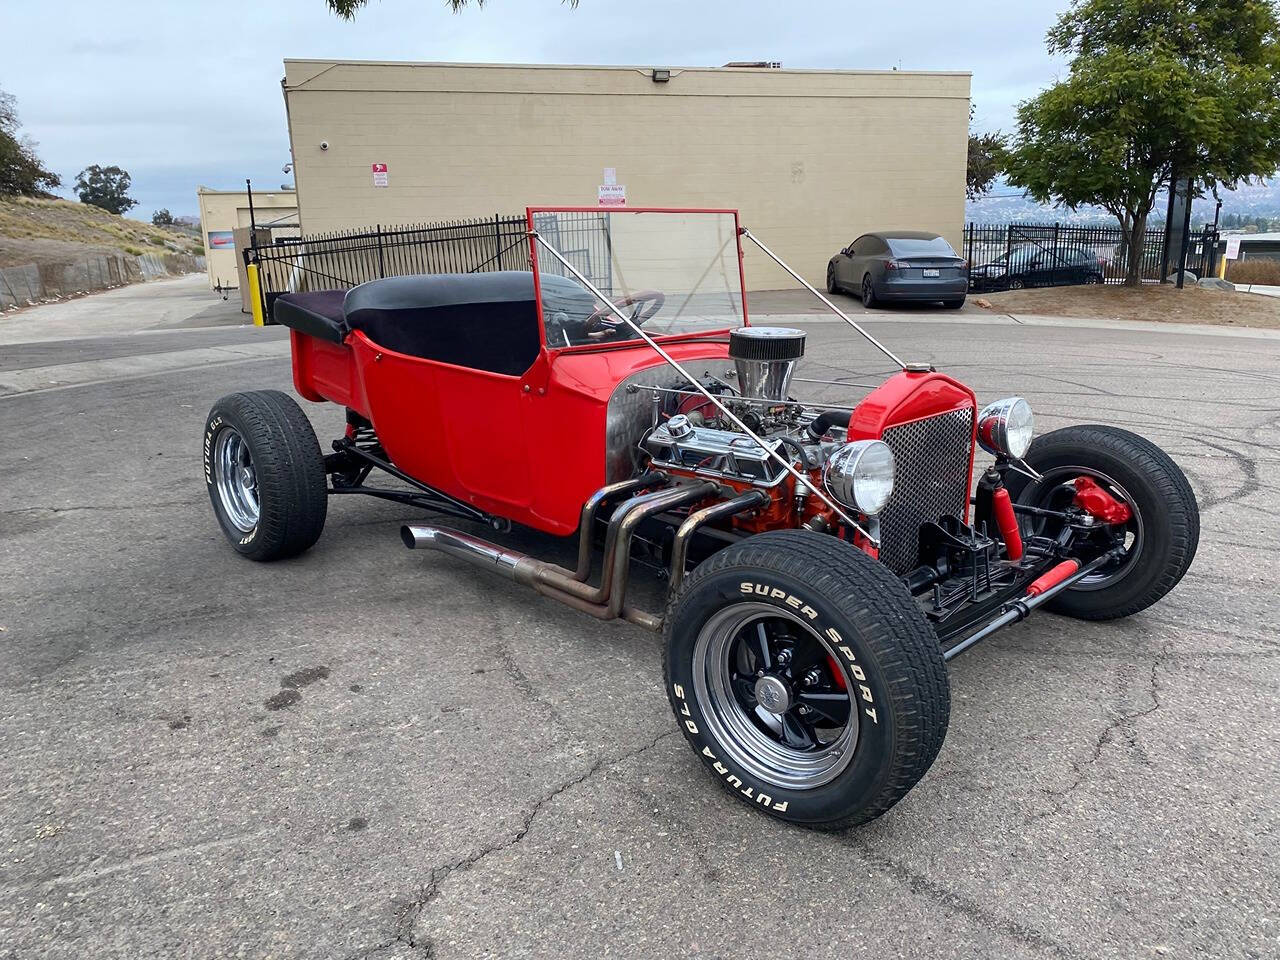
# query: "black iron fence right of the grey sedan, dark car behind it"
1011, 257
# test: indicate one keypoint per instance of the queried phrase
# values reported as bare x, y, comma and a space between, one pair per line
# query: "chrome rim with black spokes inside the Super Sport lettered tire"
776, 694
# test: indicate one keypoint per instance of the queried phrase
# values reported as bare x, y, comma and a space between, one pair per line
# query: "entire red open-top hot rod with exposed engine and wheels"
825, 561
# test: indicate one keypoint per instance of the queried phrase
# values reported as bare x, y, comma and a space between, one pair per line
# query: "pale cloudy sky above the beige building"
182, 94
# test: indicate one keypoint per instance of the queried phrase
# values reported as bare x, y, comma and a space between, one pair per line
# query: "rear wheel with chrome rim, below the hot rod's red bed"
266, 474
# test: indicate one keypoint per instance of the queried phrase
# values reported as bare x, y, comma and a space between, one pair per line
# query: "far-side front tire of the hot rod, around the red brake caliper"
1162, 536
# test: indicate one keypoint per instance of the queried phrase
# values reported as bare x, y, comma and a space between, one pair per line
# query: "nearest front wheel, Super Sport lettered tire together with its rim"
807, 679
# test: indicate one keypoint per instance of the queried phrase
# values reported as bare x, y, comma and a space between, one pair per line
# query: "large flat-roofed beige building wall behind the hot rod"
811, 158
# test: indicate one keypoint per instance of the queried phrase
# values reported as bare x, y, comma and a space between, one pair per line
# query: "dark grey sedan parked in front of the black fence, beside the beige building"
898, 266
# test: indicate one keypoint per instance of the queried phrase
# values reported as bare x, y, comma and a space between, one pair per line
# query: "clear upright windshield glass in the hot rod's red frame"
673, 273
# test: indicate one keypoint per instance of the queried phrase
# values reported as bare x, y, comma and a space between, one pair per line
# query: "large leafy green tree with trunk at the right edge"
1156, 90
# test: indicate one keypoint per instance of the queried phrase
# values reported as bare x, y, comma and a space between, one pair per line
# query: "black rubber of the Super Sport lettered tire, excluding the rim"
868, 624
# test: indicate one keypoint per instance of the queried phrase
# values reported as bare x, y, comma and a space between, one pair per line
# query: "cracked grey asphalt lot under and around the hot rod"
373, 753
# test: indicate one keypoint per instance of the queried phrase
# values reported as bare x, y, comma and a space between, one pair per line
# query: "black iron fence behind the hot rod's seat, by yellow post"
345, 259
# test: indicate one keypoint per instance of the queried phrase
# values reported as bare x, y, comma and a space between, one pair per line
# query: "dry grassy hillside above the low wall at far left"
62, 231
